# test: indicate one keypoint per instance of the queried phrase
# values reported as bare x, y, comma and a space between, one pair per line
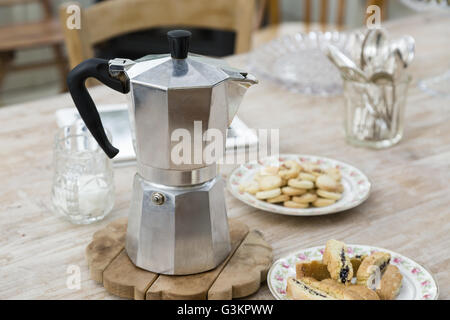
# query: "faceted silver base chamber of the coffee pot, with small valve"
188, 233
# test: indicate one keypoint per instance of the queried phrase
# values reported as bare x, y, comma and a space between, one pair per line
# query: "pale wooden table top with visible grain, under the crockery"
408, 210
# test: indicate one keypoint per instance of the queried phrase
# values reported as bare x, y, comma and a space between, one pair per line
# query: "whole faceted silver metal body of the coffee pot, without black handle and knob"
187, 232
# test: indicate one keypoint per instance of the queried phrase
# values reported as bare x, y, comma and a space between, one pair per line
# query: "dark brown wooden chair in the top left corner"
46, 32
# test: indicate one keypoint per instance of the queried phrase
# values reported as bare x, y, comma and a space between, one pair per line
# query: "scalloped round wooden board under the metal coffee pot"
240, 275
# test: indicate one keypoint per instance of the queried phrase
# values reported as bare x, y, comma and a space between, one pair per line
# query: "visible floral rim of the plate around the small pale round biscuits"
356, 185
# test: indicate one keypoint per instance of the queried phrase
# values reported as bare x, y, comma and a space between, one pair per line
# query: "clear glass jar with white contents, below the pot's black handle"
83, 182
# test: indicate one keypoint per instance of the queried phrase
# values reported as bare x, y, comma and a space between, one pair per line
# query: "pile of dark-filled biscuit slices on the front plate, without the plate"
333, 277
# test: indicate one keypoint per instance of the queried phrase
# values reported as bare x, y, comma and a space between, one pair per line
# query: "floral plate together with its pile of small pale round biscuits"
299, 185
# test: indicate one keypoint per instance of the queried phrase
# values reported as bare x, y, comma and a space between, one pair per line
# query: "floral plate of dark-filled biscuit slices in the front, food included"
338, 271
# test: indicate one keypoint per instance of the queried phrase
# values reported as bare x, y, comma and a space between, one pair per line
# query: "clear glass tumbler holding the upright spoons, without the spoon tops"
375, 112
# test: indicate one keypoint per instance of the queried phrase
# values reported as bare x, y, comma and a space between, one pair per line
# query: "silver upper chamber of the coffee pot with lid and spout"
169, 94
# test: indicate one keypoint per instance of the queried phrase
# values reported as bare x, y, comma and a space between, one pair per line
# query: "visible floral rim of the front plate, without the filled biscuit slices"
418, 283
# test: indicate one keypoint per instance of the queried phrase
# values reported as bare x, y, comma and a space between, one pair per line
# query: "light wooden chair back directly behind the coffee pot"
108, 19
